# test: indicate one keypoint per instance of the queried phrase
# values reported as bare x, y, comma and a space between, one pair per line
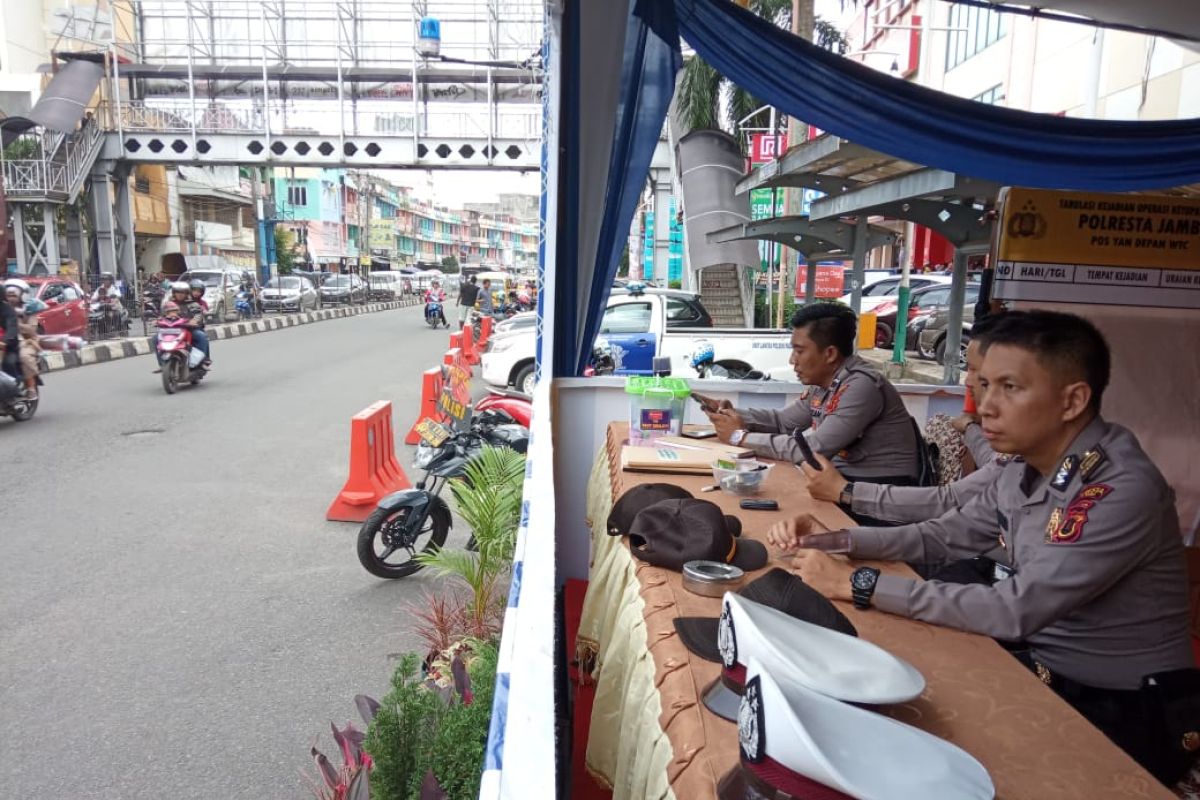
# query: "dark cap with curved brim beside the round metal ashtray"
673, 533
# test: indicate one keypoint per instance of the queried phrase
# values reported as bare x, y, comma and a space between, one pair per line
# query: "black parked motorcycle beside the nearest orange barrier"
418, 521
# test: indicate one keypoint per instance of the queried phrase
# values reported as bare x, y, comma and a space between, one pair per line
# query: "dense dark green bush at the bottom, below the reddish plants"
428, 741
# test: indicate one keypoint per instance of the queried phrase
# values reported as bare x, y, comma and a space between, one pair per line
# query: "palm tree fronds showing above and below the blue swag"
703, 86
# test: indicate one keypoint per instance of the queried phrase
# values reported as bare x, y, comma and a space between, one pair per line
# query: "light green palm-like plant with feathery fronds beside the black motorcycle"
489, 501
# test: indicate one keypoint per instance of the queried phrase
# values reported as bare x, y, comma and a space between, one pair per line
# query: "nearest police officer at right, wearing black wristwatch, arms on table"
1100, 593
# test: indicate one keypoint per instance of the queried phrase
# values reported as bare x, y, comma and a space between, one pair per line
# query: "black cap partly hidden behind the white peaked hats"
779, 590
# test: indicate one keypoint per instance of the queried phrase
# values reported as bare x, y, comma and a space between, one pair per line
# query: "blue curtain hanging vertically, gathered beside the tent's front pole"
647, 86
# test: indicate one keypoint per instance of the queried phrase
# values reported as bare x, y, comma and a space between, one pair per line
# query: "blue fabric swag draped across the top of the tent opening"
931, 128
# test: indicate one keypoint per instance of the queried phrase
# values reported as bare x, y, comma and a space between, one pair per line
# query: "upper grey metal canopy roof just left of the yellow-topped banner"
859, 181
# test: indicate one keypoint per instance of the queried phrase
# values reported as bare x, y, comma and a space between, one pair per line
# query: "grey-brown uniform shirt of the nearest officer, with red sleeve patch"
1100, 591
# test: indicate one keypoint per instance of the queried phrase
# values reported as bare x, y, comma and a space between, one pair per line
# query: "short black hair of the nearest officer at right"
1061, 342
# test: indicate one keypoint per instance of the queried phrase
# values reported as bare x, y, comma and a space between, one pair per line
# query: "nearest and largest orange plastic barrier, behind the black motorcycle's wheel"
375, 472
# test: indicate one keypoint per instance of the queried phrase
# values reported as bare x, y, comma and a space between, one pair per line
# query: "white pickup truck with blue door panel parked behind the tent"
639, 327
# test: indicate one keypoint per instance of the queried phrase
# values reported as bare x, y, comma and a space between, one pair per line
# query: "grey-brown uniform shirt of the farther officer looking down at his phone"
860, 423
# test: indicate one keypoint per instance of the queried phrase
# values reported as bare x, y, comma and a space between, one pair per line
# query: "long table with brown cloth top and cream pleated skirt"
651, 737
